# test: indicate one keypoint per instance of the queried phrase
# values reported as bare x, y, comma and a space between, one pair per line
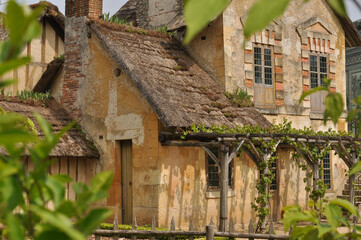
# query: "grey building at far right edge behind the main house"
353, 74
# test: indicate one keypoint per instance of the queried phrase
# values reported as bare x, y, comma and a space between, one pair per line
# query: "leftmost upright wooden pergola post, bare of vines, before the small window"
223, 215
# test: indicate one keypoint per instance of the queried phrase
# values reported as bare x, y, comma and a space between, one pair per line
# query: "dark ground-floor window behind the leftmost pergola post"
214, 171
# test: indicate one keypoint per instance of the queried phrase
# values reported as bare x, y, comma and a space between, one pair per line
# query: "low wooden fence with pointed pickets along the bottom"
210, 232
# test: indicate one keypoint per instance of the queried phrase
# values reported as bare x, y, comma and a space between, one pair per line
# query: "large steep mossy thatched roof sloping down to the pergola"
178, 90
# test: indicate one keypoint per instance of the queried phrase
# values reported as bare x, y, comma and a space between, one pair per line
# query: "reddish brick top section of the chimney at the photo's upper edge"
84, 8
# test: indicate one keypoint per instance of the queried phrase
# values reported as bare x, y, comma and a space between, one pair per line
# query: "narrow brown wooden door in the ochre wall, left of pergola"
127, 181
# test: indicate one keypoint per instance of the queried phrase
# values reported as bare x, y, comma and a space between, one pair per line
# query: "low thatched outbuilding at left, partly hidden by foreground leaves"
74, 155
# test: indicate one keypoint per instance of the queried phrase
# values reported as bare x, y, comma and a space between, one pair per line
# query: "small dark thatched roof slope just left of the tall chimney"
49, 76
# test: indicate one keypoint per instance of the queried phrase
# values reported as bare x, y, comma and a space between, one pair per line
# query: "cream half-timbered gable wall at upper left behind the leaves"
42, 50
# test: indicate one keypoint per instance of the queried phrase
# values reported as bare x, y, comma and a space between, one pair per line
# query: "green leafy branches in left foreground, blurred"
32, 203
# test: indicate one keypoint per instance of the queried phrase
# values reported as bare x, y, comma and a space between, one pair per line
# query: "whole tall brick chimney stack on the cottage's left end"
76, 52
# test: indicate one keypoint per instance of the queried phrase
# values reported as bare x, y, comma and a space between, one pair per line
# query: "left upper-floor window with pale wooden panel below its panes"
264, 93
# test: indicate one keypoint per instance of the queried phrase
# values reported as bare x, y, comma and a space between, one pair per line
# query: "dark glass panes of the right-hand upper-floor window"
318, 70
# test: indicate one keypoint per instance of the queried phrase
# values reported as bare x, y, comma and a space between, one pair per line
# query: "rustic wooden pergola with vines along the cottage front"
345, 147
